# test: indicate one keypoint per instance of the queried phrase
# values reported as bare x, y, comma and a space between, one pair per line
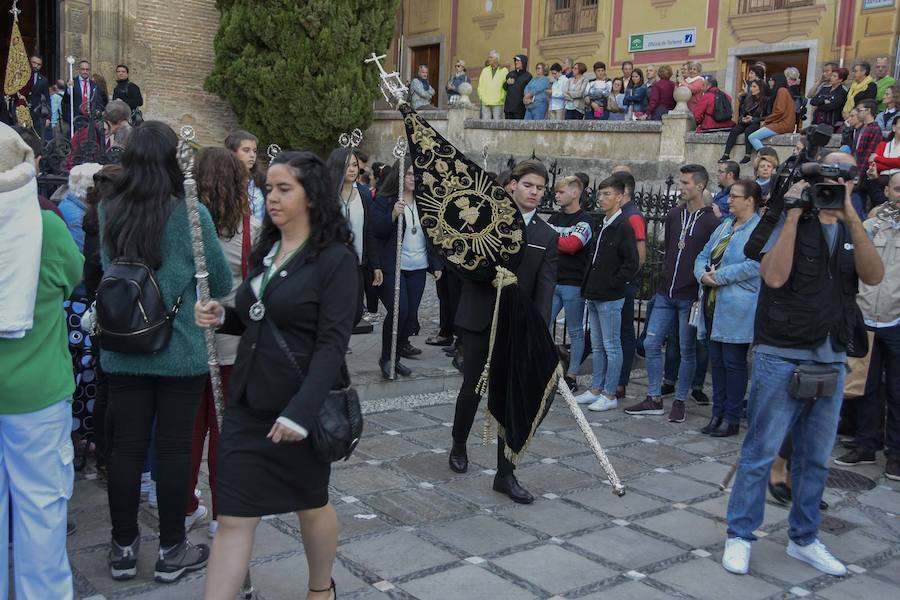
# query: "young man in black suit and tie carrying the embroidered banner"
537, 278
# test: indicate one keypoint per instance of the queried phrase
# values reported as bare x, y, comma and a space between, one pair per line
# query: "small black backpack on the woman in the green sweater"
130, 316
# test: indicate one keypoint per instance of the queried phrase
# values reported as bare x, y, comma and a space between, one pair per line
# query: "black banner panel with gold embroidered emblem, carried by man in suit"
467, 216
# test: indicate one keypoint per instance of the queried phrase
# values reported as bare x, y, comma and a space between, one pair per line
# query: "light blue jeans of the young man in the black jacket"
606, 323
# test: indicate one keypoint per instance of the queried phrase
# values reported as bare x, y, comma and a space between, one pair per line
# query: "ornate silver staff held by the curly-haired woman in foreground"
186, 161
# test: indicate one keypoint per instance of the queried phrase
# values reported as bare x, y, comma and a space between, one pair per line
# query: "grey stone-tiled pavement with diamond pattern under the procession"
410, 528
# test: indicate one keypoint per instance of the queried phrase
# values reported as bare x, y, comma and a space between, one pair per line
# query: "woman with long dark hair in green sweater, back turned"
145, 218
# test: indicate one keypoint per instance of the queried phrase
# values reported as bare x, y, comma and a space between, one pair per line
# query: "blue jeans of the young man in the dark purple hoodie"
666, 313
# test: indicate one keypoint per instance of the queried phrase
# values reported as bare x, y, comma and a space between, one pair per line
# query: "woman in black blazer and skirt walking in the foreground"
302, 287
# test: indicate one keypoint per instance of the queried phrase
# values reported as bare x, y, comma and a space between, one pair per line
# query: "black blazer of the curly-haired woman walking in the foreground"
314, 302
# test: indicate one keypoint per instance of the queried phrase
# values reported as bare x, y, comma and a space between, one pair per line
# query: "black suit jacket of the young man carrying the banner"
536, 274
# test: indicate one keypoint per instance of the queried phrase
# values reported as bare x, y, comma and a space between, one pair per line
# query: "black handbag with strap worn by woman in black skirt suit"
339, 424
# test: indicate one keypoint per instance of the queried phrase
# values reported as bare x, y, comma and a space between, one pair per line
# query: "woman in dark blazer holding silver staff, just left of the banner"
415, 261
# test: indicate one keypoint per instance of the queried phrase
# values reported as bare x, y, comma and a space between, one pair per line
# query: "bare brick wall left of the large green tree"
172, 53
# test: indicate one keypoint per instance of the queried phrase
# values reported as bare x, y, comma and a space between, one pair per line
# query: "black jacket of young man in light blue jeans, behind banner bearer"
614, 261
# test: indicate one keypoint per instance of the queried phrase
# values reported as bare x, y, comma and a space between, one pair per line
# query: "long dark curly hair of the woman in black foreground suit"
326, 220
